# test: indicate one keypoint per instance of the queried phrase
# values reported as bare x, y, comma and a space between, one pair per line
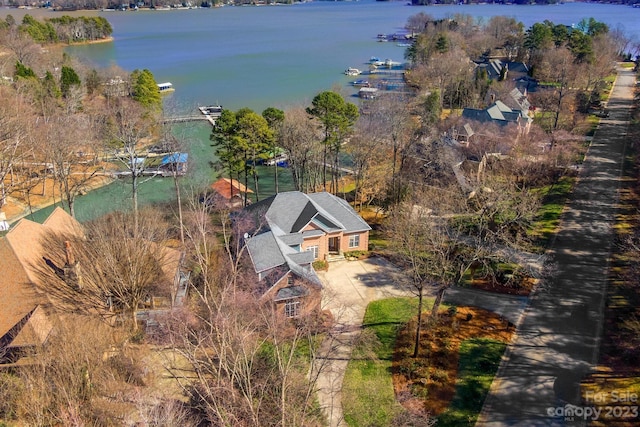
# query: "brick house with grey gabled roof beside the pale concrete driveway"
291, 230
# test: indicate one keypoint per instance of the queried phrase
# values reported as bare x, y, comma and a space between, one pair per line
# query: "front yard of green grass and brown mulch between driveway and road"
450, 378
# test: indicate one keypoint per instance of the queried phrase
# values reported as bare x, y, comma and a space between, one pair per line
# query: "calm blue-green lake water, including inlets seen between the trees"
278, 56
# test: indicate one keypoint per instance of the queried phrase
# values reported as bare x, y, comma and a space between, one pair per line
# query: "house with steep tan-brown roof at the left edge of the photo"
26, 314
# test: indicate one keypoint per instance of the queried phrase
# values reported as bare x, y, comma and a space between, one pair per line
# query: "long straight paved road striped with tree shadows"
559, 335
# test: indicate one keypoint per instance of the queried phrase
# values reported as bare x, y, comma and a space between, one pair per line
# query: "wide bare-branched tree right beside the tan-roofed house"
111, 268
